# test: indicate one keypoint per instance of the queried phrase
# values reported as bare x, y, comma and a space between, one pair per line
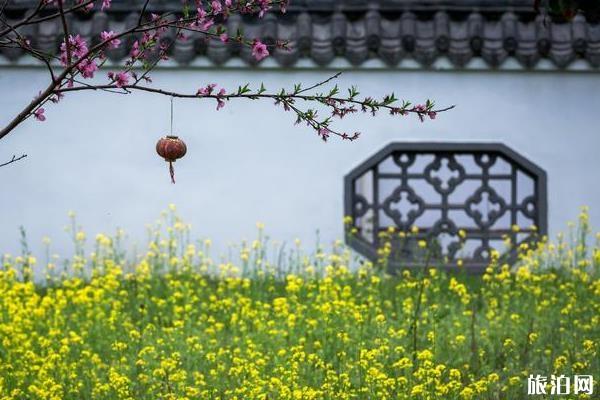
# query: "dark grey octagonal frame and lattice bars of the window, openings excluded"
516, 161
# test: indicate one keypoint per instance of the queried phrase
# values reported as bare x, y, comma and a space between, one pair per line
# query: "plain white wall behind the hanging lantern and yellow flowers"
95, 153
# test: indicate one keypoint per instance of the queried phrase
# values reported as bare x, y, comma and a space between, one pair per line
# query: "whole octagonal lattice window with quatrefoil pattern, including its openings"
463, 199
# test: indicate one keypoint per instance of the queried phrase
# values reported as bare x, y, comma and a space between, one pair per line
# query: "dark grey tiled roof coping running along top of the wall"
389, 30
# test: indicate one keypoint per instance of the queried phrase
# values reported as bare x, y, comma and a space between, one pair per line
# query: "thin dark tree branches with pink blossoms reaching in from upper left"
153, 40
